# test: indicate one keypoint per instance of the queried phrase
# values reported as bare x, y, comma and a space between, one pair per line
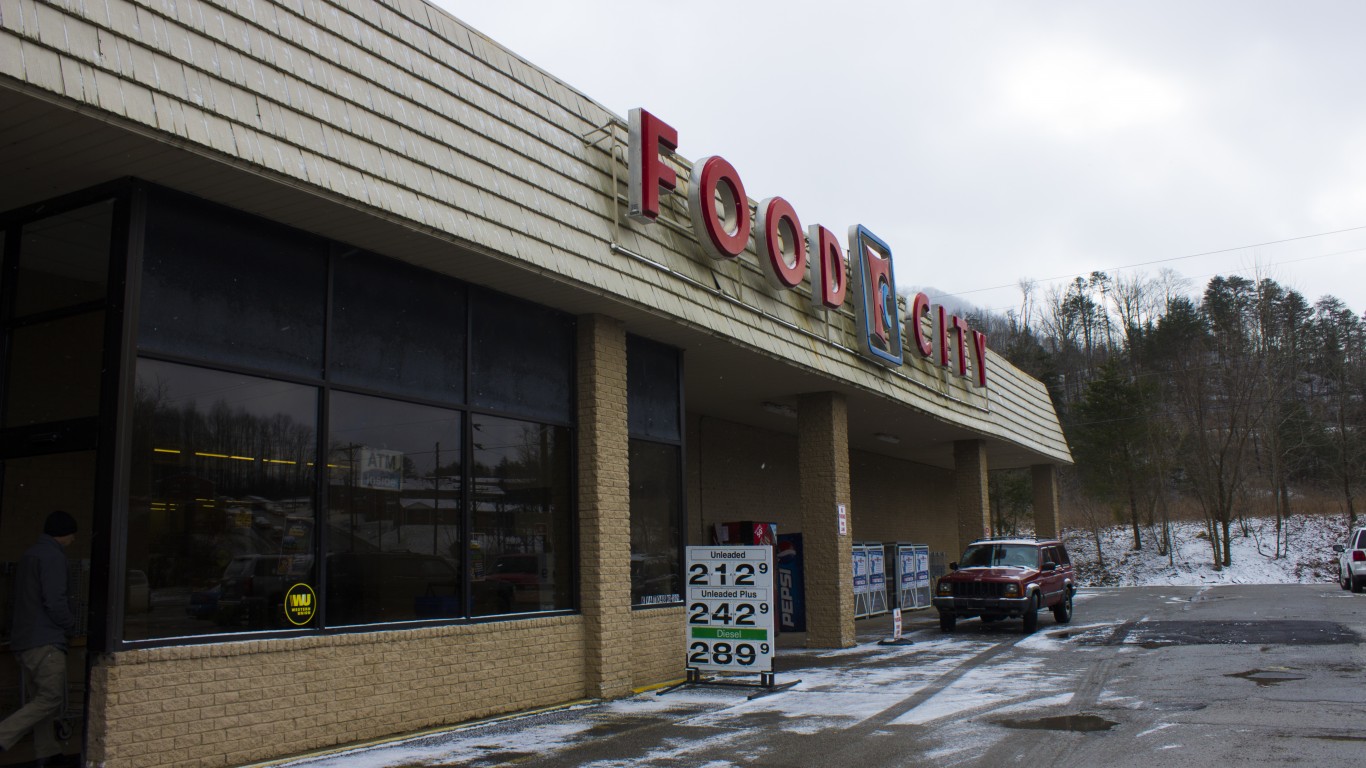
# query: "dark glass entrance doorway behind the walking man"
54, 314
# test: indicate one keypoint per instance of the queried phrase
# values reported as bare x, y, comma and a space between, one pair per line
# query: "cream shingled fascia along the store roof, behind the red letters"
397, 109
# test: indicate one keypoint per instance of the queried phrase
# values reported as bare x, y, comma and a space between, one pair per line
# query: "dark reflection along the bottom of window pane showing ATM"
391, 587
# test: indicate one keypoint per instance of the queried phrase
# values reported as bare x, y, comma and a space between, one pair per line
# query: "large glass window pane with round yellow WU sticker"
222, 501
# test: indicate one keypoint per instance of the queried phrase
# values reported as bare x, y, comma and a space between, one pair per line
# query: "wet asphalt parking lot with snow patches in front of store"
1143, 677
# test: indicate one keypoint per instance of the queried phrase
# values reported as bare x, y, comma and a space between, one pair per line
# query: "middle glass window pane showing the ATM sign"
395, 512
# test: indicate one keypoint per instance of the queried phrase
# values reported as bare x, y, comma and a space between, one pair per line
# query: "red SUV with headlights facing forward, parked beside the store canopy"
1007, 579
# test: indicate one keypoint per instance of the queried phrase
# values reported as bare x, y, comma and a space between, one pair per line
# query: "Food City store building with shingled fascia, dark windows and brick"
382, 401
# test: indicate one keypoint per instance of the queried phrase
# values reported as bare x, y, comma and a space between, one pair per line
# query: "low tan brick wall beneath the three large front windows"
232, 704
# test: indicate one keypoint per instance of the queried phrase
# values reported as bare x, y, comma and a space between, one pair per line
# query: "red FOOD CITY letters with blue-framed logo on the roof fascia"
723, 225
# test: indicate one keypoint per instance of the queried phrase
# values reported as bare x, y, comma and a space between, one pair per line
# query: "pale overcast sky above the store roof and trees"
996, 141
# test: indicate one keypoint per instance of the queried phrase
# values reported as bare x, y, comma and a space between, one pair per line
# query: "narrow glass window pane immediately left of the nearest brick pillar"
521, 538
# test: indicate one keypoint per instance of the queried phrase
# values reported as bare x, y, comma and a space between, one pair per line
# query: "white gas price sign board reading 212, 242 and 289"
730, 609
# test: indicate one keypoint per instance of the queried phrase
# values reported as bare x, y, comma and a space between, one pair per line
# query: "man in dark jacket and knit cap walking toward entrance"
43, 624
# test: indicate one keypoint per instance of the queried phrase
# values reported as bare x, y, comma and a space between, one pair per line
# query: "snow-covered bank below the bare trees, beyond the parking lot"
1305, 554
